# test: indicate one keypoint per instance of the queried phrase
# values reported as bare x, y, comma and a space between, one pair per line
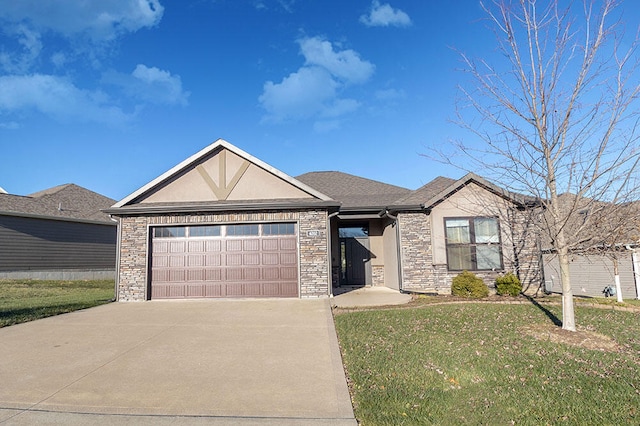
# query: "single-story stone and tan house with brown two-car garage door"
223, 223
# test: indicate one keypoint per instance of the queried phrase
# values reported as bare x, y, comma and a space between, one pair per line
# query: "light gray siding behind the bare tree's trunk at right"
590, 275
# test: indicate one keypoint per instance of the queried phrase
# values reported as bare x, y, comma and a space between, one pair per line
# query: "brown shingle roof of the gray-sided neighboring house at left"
65, 201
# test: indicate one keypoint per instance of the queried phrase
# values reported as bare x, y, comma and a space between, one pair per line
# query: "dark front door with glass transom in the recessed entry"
354, 256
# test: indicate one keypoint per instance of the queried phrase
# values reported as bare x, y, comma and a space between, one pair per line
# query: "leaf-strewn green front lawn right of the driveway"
474, 364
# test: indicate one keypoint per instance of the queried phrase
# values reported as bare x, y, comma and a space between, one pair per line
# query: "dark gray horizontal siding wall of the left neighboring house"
42, 244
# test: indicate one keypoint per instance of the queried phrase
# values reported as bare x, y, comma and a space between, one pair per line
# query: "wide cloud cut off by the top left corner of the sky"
98, 20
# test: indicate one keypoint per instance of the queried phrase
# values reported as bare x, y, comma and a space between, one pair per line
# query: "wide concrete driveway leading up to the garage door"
177, 362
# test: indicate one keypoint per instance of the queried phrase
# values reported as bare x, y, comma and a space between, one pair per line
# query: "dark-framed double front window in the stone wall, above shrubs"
473, 243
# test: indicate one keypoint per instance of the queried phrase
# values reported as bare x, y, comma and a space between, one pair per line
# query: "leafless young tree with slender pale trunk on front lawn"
556, 113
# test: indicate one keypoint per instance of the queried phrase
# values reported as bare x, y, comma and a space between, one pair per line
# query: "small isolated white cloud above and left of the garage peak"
149, 84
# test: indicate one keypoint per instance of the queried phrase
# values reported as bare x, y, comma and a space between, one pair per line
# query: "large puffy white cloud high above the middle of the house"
314, 90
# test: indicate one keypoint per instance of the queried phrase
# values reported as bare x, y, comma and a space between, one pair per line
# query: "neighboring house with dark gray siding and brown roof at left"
58, 233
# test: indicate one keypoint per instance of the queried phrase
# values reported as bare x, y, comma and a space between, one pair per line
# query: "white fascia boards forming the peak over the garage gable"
207, 150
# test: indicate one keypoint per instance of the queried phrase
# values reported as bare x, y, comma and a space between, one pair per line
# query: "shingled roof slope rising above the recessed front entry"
353, 191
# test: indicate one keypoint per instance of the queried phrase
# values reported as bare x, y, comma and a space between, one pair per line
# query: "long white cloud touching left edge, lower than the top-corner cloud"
57, 97
